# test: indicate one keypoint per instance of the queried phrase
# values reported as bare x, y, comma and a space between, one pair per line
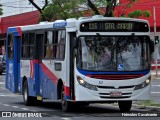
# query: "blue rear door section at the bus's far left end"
13, 59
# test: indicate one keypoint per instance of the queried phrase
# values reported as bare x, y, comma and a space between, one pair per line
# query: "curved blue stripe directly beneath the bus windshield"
85, 72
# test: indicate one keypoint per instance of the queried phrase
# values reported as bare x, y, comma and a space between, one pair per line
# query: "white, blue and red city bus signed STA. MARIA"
81, 61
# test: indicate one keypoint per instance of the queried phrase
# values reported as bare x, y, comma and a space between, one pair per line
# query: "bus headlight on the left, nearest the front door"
85, 84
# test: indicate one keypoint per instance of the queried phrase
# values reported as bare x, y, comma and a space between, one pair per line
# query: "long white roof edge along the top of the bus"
63, 23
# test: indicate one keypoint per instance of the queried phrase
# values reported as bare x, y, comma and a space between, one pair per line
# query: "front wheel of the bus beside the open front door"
64, 103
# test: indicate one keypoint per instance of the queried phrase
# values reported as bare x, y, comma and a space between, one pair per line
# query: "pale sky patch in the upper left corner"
12, 7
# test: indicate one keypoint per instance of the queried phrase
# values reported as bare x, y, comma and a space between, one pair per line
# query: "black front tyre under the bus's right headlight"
125, 106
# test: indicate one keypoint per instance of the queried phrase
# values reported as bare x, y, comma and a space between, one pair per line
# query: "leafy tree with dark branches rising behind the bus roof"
63, 9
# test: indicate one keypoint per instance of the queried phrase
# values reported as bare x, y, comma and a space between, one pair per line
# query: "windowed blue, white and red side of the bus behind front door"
38, 68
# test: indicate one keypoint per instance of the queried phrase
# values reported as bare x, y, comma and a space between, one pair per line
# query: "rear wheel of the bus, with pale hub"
28, 100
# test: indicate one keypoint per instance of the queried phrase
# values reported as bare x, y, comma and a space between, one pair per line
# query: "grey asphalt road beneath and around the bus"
10, 102
